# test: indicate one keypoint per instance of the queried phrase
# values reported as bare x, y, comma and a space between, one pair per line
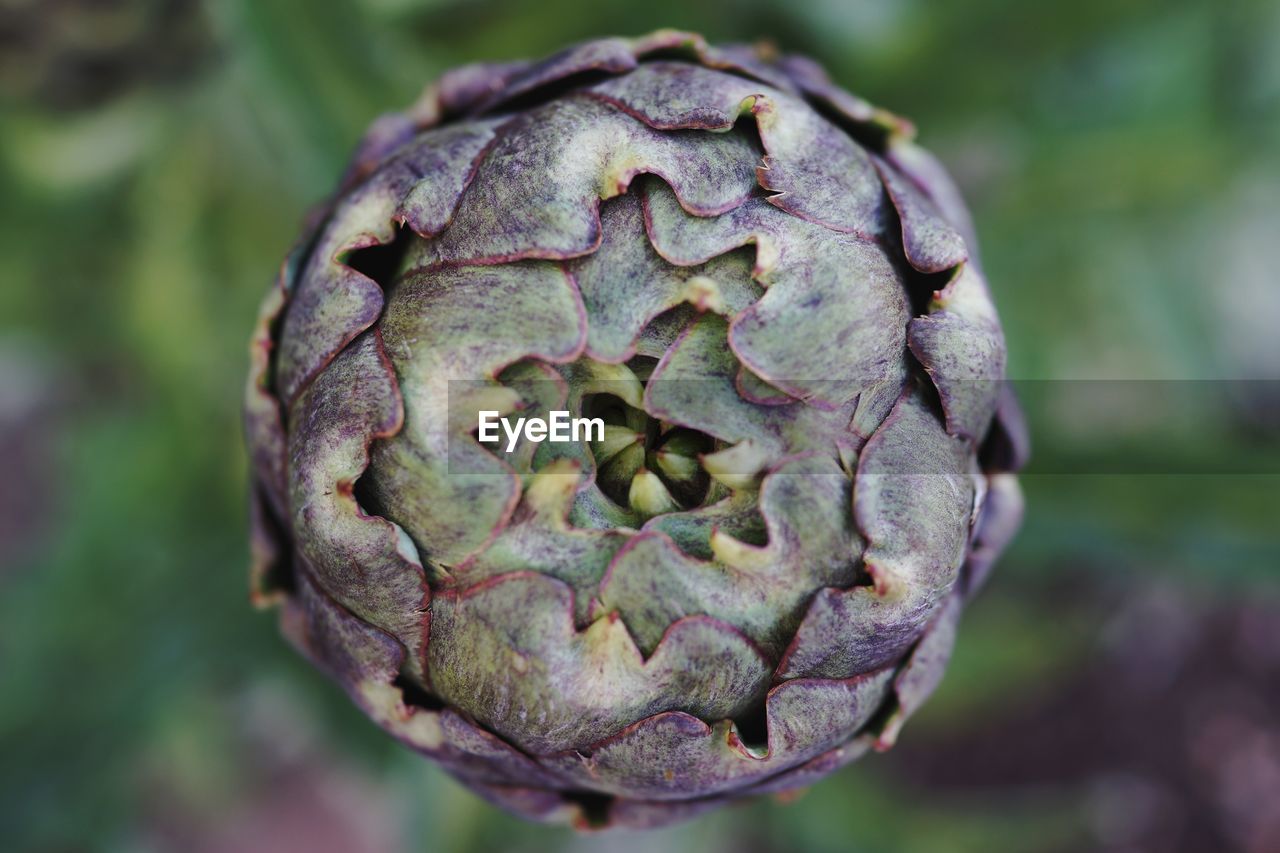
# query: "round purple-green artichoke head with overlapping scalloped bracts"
767, 297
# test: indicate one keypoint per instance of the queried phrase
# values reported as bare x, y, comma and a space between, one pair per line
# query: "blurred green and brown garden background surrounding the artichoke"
1116, 687
